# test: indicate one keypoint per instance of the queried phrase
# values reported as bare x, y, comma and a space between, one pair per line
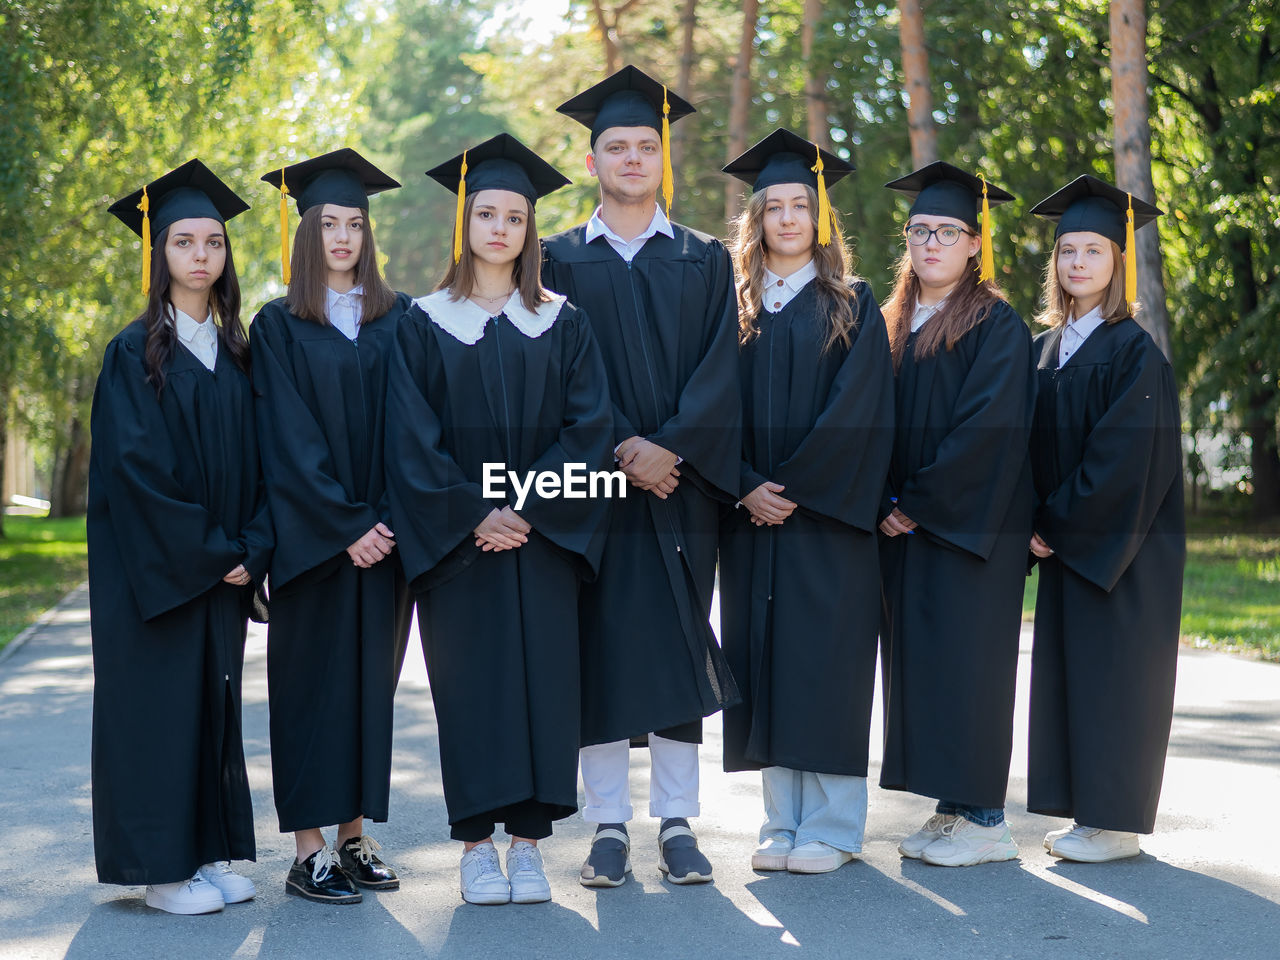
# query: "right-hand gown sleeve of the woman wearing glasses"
963, 495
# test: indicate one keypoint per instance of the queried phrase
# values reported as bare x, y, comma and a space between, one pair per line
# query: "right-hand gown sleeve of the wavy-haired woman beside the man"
839, 469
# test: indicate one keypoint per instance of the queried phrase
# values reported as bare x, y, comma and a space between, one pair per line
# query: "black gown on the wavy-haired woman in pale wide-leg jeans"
801, 602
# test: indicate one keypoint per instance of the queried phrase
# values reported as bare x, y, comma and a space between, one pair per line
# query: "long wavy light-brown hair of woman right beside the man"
836, 301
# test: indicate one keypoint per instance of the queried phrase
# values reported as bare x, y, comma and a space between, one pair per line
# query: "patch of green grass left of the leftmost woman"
40, 561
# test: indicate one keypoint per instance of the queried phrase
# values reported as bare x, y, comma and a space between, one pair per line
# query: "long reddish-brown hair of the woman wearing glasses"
966, 307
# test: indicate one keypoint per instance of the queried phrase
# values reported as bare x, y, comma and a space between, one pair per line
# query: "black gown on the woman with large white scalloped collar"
500, 629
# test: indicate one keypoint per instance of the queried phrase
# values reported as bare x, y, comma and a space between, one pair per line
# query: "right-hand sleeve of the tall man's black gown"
707, 427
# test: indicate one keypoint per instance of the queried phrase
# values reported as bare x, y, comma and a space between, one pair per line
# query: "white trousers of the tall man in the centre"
607, 780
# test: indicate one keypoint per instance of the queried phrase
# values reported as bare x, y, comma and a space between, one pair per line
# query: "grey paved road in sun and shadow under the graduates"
1209, 885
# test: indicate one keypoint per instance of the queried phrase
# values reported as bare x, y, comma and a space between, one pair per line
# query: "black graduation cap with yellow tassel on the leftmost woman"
186, 193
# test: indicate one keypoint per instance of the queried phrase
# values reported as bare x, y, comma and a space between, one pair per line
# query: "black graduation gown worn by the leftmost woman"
175, 504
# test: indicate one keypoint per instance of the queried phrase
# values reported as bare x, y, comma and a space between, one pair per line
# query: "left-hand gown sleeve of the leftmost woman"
173, 548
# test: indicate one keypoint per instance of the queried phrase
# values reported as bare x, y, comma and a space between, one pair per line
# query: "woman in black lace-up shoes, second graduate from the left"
341, 607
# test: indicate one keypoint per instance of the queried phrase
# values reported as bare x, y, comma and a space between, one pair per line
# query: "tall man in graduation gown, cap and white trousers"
661, 303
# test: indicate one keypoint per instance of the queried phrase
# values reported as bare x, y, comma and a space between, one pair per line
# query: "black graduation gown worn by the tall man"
668, 328
